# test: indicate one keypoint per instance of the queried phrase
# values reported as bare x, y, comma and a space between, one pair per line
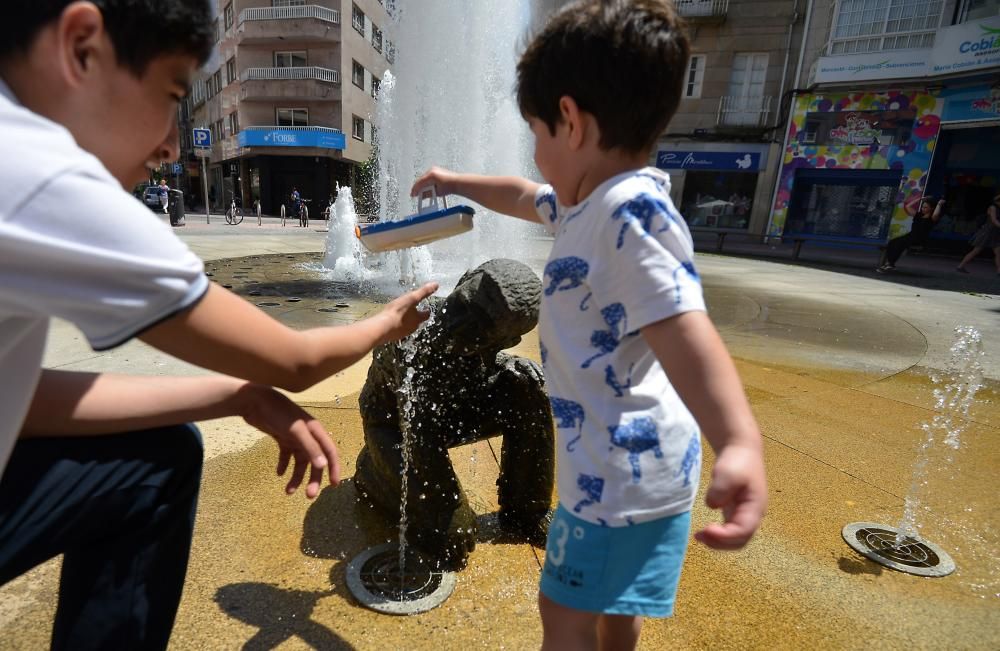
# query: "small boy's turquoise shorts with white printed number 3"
615, 570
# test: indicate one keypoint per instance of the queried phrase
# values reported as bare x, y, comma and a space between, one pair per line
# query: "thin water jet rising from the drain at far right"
964, 377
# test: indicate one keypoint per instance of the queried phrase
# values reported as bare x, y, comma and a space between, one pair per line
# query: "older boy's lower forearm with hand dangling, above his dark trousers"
70, 403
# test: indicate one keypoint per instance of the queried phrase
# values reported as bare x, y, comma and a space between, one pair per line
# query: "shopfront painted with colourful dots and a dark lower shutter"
853, 161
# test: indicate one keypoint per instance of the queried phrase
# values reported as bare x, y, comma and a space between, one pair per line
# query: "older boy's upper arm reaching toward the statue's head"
226, 334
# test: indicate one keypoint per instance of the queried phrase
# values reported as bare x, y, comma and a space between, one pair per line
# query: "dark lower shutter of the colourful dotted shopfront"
843, 203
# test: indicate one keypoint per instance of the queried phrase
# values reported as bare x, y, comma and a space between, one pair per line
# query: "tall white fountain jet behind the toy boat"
449, 101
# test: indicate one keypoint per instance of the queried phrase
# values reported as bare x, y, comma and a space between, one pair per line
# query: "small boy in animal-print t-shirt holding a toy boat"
633, 365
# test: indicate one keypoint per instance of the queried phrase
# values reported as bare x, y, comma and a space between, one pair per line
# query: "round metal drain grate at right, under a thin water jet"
877, 542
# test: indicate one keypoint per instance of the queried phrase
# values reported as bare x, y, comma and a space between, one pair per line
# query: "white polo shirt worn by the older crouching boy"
74, 245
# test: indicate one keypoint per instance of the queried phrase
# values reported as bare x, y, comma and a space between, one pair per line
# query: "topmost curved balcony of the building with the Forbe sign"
284, 25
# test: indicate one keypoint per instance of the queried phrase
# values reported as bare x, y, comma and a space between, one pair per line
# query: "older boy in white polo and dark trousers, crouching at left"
102, 468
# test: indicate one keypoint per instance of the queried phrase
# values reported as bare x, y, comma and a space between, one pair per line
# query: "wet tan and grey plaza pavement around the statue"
840, 368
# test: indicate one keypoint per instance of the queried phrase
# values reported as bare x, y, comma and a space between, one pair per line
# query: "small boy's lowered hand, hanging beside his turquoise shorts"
739, 488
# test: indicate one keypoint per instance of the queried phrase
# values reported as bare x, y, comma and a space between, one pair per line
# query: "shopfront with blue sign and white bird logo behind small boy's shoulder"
717, 187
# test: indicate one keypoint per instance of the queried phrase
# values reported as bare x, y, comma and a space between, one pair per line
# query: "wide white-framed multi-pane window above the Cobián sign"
876, 25
